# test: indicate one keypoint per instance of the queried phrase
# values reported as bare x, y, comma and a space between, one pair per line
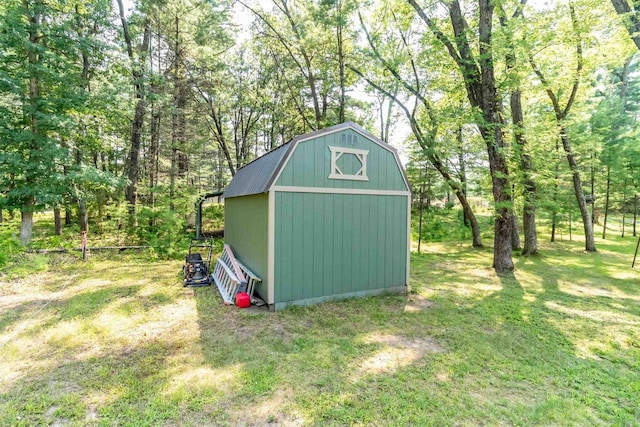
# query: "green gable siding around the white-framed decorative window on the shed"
310, 164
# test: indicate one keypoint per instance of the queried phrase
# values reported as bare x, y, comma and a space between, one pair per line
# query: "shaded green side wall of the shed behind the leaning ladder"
246, 231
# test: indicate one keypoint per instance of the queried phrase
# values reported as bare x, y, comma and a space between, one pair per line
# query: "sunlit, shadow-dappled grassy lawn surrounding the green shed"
116, 340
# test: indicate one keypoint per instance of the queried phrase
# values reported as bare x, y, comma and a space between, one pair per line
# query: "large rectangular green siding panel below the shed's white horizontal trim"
333, 244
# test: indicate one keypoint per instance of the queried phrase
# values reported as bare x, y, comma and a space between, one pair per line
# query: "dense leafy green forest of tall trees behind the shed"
109, 113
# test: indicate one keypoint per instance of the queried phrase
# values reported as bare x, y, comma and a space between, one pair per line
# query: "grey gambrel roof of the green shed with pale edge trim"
259, 175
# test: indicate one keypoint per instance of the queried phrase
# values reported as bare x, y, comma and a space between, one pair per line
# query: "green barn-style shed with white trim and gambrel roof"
324, 216
